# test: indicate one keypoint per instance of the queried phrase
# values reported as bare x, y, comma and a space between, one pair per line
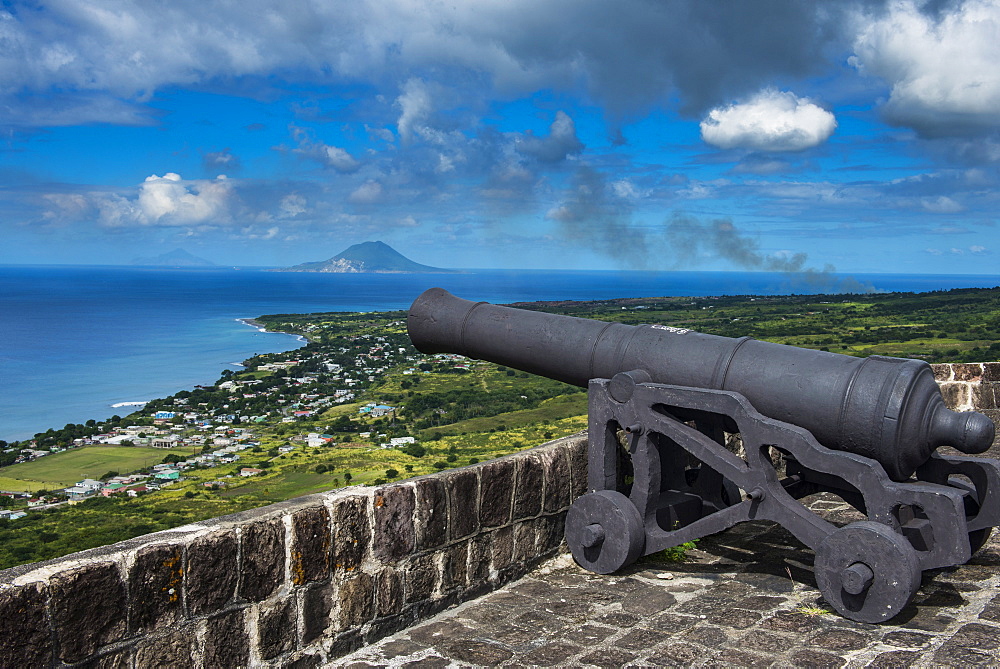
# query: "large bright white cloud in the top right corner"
942, 69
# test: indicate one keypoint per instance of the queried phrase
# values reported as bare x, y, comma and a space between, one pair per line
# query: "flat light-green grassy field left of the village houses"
64, 469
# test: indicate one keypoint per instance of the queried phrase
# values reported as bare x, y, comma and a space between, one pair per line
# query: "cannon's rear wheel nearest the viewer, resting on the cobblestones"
867, 572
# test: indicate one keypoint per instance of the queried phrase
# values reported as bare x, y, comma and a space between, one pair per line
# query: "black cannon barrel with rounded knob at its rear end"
888, 409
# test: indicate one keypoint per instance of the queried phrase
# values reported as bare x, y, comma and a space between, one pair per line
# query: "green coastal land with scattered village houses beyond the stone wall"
456, 411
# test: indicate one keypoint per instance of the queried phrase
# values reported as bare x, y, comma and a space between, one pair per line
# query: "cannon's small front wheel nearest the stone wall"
604, 531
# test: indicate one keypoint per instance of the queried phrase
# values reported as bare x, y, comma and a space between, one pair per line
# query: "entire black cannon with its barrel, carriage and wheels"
663, 402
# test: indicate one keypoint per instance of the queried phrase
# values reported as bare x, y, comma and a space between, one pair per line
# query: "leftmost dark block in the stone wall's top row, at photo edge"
25, 639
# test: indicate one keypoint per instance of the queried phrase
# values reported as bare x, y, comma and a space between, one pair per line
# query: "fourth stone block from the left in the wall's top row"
212, 573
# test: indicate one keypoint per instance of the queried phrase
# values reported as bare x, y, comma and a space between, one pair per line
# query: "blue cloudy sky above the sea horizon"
562, 134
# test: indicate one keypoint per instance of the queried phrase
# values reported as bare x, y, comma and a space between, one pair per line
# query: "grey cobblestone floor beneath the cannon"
746, 597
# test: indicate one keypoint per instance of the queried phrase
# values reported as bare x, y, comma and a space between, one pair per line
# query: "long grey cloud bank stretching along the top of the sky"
628, 56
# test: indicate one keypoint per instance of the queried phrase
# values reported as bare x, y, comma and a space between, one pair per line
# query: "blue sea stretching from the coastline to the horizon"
76, 341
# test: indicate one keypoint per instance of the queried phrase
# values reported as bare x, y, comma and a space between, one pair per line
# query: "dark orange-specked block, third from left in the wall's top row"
155, 584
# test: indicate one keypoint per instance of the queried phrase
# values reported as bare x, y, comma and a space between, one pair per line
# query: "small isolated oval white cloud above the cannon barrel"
771, 121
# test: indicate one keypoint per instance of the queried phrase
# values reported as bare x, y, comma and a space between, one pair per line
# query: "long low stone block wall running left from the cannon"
297, 583
